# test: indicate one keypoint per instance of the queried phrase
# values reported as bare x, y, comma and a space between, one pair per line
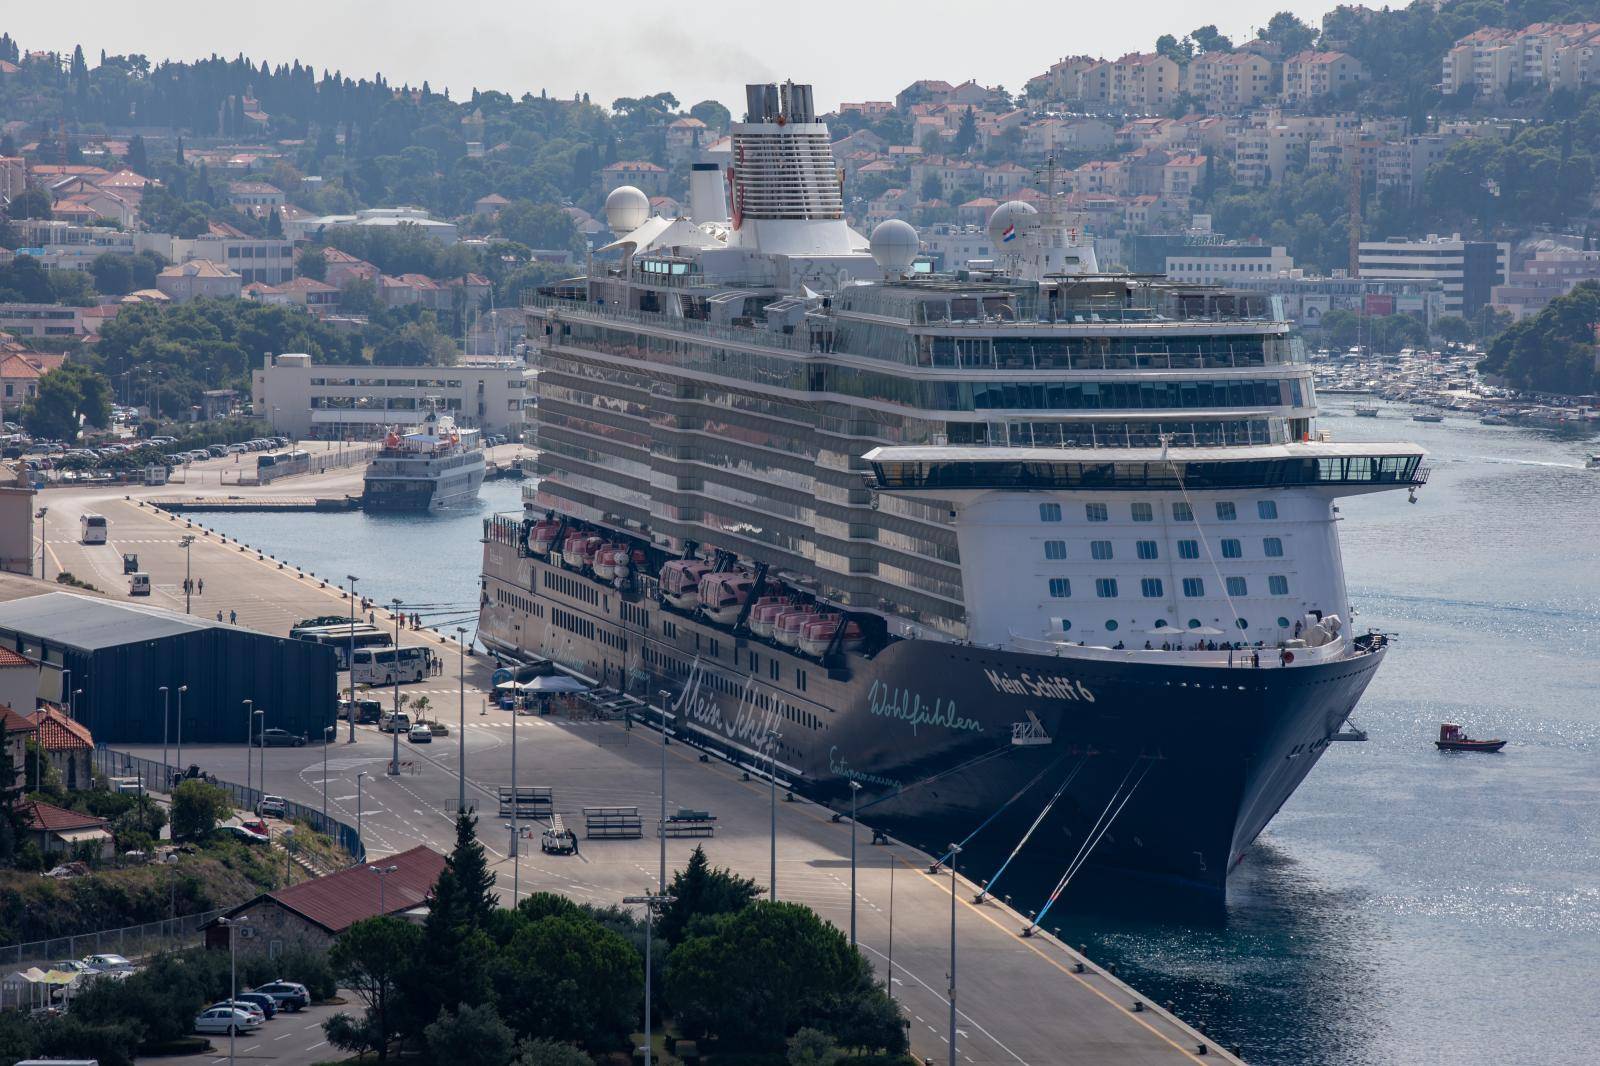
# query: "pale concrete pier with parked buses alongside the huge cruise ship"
1028, 1001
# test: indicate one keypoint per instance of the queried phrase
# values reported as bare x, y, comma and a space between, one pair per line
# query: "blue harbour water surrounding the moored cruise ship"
1406, 907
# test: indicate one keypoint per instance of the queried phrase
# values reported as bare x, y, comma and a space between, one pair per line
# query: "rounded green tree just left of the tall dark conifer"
377, 960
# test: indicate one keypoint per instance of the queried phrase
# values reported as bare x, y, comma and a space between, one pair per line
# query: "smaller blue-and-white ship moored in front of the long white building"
438, 465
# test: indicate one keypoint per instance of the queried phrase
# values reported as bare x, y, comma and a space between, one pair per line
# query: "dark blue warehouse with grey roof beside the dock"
110, 663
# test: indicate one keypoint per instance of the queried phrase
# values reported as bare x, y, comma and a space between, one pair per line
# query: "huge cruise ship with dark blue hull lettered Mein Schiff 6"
1030, 555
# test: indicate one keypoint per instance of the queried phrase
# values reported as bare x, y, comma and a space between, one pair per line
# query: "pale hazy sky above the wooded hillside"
697, 50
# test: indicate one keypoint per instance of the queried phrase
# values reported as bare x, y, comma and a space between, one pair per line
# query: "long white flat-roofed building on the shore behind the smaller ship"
353, 403
